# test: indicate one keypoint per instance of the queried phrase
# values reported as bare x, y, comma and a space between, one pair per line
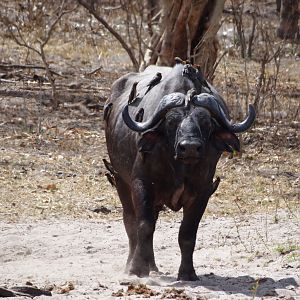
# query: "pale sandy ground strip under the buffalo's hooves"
244, 257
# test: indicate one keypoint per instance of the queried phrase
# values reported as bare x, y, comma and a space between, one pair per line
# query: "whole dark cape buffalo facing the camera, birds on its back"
164, 146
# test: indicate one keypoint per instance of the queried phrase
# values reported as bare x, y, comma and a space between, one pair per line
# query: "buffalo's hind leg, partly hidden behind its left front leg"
129, 218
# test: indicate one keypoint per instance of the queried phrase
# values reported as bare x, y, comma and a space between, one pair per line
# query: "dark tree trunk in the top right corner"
289, 16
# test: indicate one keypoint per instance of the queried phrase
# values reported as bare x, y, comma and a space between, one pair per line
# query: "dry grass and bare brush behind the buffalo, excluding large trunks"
58, 61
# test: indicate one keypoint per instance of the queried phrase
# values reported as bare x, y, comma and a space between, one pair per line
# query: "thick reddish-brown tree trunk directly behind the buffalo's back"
187, 30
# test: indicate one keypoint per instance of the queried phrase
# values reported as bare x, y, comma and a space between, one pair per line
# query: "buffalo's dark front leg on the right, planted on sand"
187, 239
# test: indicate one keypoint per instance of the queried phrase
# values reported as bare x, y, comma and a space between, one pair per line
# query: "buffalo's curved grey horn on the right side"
209, 101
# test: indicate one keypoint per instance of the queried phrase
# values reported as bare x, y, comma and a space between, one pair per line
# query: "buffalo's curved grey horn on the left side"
166, 103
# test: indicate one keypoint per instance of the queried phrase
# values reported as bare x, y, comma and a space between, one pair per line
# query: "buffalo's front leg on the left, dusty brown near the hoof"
143, 258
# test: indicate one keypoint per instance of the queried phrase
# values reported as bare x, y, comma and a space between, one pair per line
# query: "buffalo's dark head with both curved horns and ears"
191, 124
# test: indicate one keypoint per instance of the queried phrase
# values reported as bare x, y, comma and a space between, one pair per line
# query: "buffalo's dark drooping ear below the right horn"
226, 141
